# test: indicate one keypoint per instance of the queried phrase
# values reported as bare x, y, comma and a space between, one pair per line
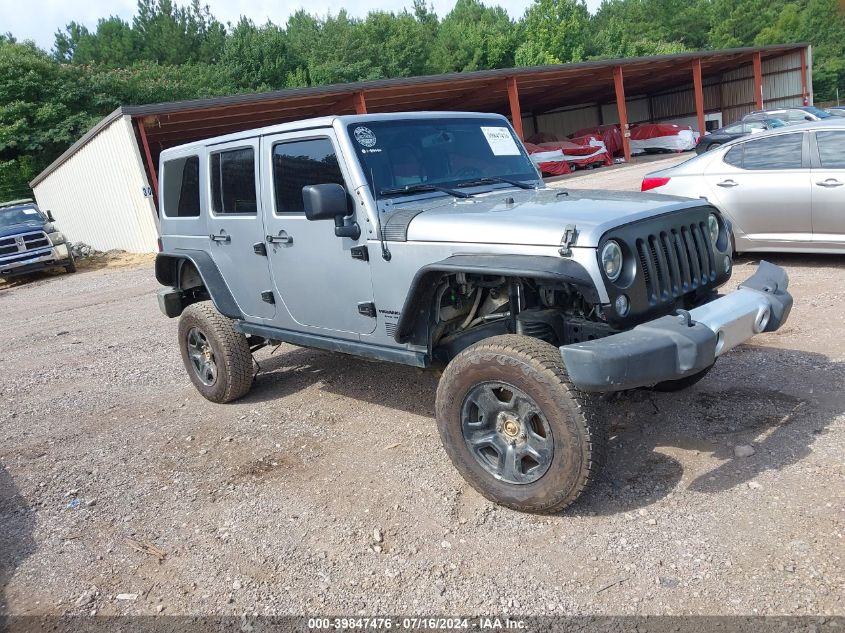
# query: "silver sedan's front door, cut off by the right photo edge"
828, 186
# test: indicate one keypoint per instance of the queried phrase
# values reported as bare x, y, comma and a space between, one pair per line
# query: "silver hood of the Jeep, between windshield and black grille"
537, 217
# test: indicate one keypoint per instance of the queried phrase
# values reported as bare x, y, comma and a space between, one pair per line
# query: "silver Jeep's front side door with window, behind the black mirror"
322, 286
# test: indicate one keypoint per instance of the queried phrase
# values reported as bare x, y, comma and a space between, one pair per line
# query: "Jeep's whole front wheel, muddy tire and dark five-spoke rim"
515, 427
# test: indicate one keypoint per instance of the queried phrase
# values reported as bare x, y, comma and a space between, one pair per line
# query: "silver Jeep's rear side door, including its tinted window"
236, 226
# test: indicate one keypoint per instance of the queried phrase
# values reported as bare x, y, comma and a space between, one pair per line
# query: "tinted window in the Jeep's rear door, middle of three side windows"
233, 182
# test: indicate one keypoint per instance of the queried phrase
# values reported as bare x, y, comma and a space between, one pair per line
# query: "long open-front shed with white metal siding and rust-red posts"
103, 190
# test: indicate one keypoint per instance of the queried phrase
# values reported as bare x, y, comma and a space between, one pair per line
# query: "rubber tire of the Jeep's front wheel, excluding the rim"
535, 367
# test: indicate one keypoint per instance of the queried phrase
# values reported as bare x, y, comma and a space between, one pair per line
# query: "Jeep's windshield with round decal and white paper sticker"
423, 154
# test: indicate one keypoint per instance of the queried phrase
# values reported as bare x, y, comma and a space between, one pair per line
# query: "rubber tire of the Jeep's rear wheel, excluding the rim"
230, 348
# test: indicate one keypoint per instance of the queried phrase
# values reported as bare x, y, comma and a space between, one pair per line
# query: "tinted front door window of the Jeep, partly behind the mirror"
300, 163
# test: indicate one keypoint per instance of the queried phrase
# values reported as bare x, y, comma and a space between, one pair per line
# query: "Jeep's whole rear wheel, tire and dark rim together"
216, 356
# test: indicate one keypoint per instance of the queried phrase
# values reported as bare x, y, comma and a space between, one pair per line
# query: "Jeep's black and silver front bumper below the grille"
673, 347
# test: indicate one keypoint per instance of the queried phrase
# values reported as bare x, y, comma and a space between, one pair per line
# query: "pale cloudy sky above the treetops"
38, 20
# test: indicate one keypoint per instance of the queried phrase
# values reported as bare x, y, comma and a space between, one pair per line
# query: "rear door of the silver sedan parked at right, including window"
763, 184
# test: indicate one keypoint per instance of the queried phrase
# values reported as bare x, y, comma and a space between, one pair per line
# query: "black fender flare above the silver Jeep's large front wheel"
413, 320
